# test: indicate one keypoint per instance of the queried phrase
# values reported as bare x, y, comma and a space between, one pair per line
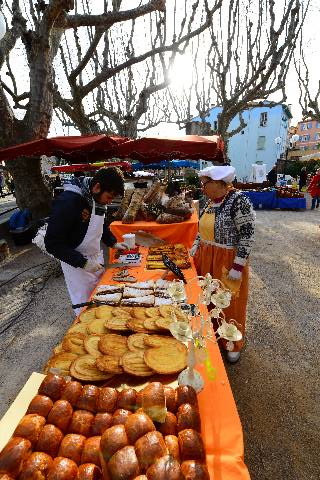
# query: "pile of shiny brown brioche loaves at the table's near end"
76, 432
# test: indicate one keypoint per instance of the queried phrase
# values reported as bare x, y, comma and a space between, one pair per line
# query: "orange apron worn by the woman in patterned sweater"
217, 259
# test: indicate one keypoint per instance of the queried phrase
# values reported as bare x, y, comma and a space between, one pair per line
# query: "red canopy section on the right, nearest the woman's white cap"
155, 149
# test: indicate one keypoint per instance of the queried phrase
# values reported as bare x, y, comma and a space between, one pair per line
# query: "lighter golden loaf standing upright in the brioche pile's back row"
154, 401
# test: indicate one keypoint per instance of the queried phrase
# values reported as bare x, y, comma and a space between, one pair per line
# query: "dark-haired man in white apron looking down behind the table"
76, 228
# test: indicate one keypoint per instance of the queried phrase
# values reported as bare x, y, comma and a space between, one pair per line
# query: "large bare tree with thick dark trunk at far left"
96, 96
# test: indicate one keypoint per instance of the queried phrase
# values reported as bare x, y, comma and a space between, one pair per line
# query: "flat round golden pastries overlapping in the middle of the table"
122, 336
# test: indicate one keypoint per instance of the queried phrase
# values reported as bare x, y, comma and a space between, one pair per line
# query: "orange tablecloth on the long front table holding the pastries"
221, 427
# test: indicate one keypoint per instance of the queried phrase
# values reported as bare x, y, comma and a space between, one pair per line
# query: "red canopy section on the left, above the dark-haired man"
89, 147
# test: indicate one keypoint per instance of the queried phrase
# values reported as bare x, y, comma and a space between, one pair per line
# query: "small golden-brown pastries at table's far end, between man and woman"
177, 253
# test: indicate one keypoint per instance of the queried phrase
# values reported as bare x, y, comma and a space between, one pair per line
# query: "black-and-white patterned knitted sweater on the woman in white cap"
234, 226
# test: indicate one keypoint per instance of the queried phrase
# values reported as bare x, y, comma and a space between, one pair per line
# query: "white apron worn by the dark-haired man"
79, 282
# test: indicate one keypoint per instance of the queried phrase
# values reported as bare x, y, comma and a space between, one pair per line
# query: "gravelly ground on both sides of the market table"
275, 383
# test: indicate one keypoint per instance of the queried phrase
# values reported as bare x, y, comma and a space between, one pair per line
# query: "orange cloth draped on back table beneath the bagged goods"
184, 232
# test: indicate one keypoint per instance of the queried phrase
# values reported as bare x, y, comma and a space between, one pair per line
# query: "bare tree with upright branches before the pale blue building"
248, 59
